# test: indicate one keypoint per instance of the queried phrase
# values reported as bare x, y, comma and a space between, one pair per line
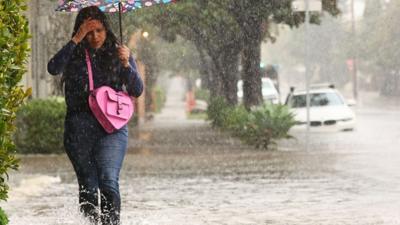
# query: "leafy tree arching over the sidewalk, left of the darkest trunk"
212, 31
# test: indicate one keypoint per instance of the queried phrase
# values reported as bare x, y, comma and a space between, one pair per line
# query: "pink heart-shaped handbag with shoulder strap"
112, 109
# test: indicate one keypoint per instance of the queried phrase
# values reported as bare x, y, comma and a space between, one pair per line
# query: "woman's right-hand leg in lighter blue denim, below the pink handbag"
110, 152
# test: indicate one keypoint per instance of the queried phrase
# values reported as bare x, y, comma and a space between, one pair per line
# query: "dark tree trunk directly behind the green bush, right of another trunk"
251, 74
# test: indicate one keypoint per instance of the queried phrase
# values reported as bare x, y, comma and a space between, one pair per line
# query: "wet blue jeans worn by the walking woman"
97, 160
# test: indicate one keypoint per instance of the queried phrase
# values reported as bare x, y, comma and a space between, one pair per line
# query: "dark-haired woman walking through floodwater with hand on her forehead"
95, 155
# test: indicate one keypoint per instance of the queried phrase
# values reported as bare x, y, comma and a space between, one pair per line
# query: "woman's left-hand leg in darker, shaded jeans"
79, 141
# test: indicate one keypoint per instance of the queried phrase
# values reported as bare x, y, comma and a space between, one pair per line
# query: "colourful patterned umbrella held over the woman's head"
110, 6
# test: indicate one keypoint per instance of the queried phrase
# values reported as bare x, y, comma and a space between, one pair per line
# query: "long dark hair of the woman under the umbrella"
108, 52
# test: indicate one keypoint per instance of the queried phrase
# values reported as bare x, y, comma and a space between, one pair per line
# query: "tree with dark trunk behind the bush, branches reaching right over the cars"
254, 18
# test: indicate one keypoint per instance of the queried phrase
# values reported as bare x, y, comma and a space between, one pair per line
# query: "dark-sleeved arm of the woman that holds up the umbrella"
131, 78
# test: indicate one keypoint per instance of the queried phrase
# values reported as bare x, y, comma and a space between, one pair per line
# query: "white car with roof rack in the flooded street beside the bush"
328, 110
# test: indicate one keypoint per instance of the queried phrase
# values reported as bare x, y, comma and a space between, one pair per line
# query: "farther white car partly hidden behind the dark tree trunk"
269, 92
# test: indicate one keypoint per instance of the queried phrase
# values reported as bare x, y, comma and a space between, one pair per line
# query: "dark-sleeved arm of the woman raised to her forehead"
57, 64
